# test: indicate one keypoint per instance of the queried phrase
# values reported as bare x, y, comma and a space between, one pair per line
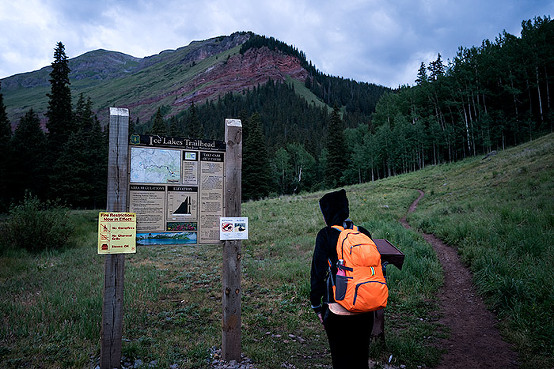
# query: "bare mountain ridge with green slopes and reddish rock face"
199, 72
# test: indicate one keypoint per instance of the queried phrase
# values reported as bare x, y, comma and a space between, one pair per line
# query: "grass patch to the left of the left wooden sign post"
49, 307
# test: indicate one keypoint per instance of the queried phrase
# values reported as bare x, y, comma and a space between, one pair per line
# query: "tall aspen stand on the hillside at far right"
486, 98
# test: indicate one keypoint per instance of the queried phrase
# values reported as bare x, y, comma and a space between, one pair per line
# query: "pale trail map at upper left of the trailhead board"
155, 165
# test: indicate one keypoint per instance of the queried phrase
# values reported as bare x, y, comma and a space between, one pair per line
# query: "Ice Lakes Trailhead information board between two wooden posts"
176, 189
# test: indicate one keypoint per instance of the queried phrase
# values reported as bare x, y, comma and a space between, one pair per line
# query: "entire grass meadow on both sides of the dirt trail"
498, 212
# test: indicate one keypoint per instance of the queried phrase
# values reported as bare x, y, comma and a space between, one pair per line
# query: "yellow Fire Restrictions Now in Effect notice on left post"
117, 233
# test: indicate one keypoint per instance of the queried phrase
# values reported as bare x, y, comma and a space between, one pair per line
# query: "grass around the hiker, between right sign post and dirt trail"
278, 257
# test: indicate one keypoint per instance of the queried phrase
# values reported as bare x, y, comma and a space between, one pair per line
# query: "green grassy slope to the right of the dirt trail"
499, 213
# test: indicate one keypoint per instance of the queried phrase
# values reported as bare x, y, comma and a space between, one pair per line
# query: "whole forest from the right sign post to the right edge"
486, 98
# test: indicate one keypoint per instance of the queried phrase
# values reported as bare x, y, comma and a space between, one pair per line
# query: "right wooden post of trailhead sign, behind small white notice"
231, 324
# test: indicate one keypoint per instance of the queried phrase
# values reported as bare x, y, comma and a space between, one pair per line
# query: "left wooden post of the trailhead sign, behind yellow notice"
112, 309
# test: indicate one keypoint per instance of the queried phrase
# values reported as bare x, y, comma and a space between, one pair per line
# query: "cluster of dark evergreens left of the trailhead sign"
68, 163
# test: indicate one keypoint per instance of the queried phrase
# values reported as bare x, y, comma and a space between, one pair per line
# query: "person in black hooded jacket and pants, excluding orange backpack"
348, 333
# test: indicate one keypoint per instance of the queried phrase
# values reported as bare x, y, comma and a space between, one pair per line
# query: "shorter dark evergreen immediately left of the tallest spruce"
28, 167
